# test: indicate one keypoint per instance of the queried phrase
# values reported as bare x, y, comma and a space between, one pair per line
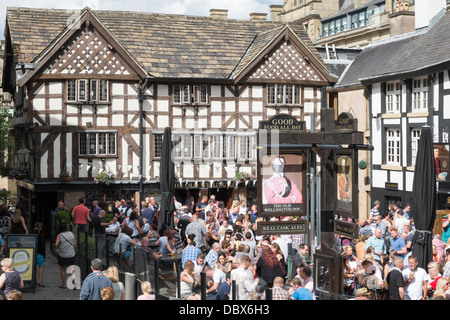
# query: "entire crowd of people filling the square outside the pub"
223, 244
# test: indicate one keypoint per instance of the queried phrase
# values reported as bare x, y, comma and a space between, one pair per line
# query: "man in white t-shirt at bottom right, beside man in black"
415, 280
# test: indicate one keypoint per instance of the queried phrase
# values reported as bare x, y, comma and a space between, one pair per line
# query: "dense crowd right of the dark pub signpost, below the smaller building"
380, 265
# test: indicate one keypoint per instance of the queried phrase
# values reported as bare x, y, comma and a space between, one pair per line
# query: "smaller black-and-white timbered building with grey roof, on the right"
407, 85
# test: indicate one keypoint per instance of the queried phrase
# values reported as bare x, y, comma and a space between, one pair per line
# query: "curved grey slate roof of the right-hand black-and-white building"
403, 56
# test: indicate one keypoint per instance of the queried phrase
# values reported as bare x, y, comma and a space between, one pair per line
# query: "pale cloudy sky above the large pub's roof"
237, 9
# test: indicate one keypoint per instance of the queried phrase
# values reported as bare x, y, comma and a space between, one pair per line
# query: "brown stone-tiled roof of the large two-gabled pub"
162, 45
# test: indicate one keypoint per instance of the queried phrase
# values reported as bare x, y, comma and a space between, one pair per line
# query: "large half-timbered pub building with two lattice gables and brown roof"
80, 79
